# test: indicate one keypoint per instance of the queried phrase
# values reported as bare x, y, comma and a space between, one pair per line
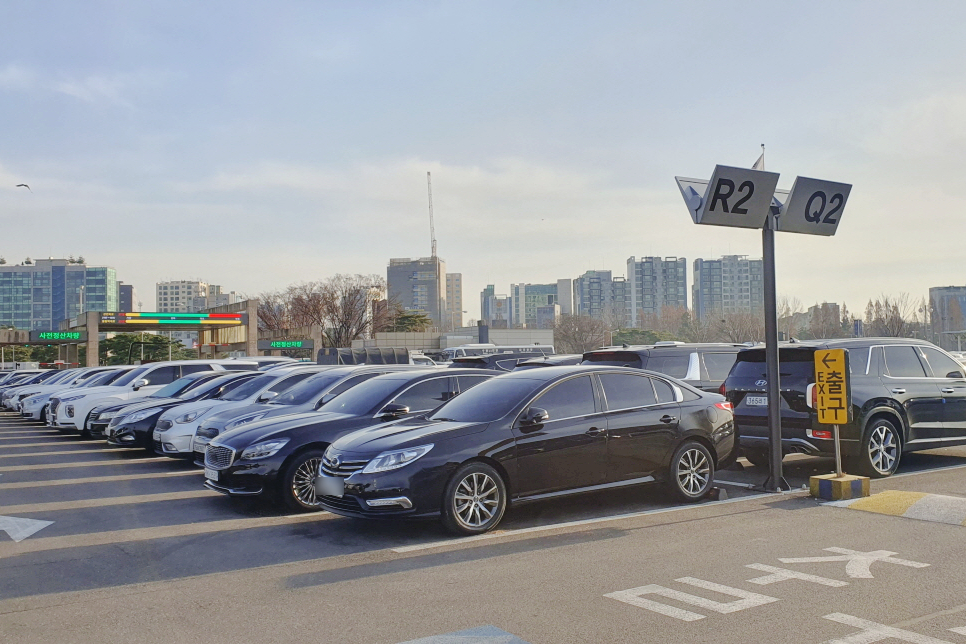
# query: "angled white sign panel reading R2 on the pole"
736, 197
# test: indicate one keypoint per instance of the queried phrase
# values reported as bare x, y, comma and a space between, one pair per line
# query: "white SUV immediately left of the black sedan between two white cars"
69, 411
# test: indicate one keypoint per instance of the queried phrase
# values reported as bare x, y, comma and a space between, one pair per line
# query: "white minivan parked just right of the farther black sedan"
175, 429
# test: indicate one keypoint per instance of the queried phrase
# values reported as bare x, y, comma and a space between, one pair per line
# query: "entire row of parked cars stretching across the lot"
463, 442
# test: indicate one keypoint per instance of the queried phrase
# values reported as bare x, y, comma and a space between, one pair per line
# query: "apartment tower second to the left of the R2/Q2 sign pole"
655, 283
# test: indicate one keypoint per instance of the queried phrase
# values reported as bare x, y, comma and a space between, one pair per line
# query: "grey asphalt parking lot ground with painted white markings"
120, 544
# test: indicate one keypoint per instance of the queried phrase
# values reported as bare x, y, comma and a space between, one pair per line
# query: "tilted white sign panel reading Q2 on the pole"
814, 207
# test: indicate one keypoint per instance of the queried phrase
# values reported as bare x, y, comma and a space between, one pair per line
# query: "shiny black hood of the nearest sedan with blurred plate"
404, 433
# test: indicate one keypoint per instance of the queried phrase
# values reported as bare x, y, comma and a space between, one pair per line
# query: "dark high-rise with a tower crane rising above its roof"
419, 285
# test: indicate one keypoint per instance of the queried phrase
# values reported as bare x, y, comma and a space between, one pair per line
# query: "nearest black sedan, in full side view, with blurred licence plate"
531, 435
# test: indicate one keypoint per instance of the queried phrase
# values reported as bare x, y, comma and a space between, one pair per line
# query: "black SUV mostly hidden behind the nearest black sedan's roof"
701, 365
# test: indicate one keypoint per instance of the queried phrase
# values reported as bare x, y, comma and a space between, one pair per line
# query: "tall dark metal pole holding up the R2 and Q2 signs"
776, 480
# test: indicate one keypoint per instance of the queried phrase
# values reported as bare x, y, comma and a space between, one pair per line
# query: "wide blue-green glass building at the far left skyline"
39, 295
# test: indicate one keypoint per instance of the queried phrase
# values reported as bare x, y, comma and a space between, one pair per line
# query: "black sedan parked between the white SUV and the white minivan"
132, 423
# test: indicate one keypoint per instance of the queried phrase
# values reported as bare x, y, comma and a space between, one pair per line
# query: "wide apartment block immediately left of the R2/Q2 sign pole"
732, 284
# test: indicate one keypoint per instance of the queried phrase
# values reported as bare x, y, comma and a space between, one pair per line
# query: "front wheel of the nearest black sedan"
475, 500
